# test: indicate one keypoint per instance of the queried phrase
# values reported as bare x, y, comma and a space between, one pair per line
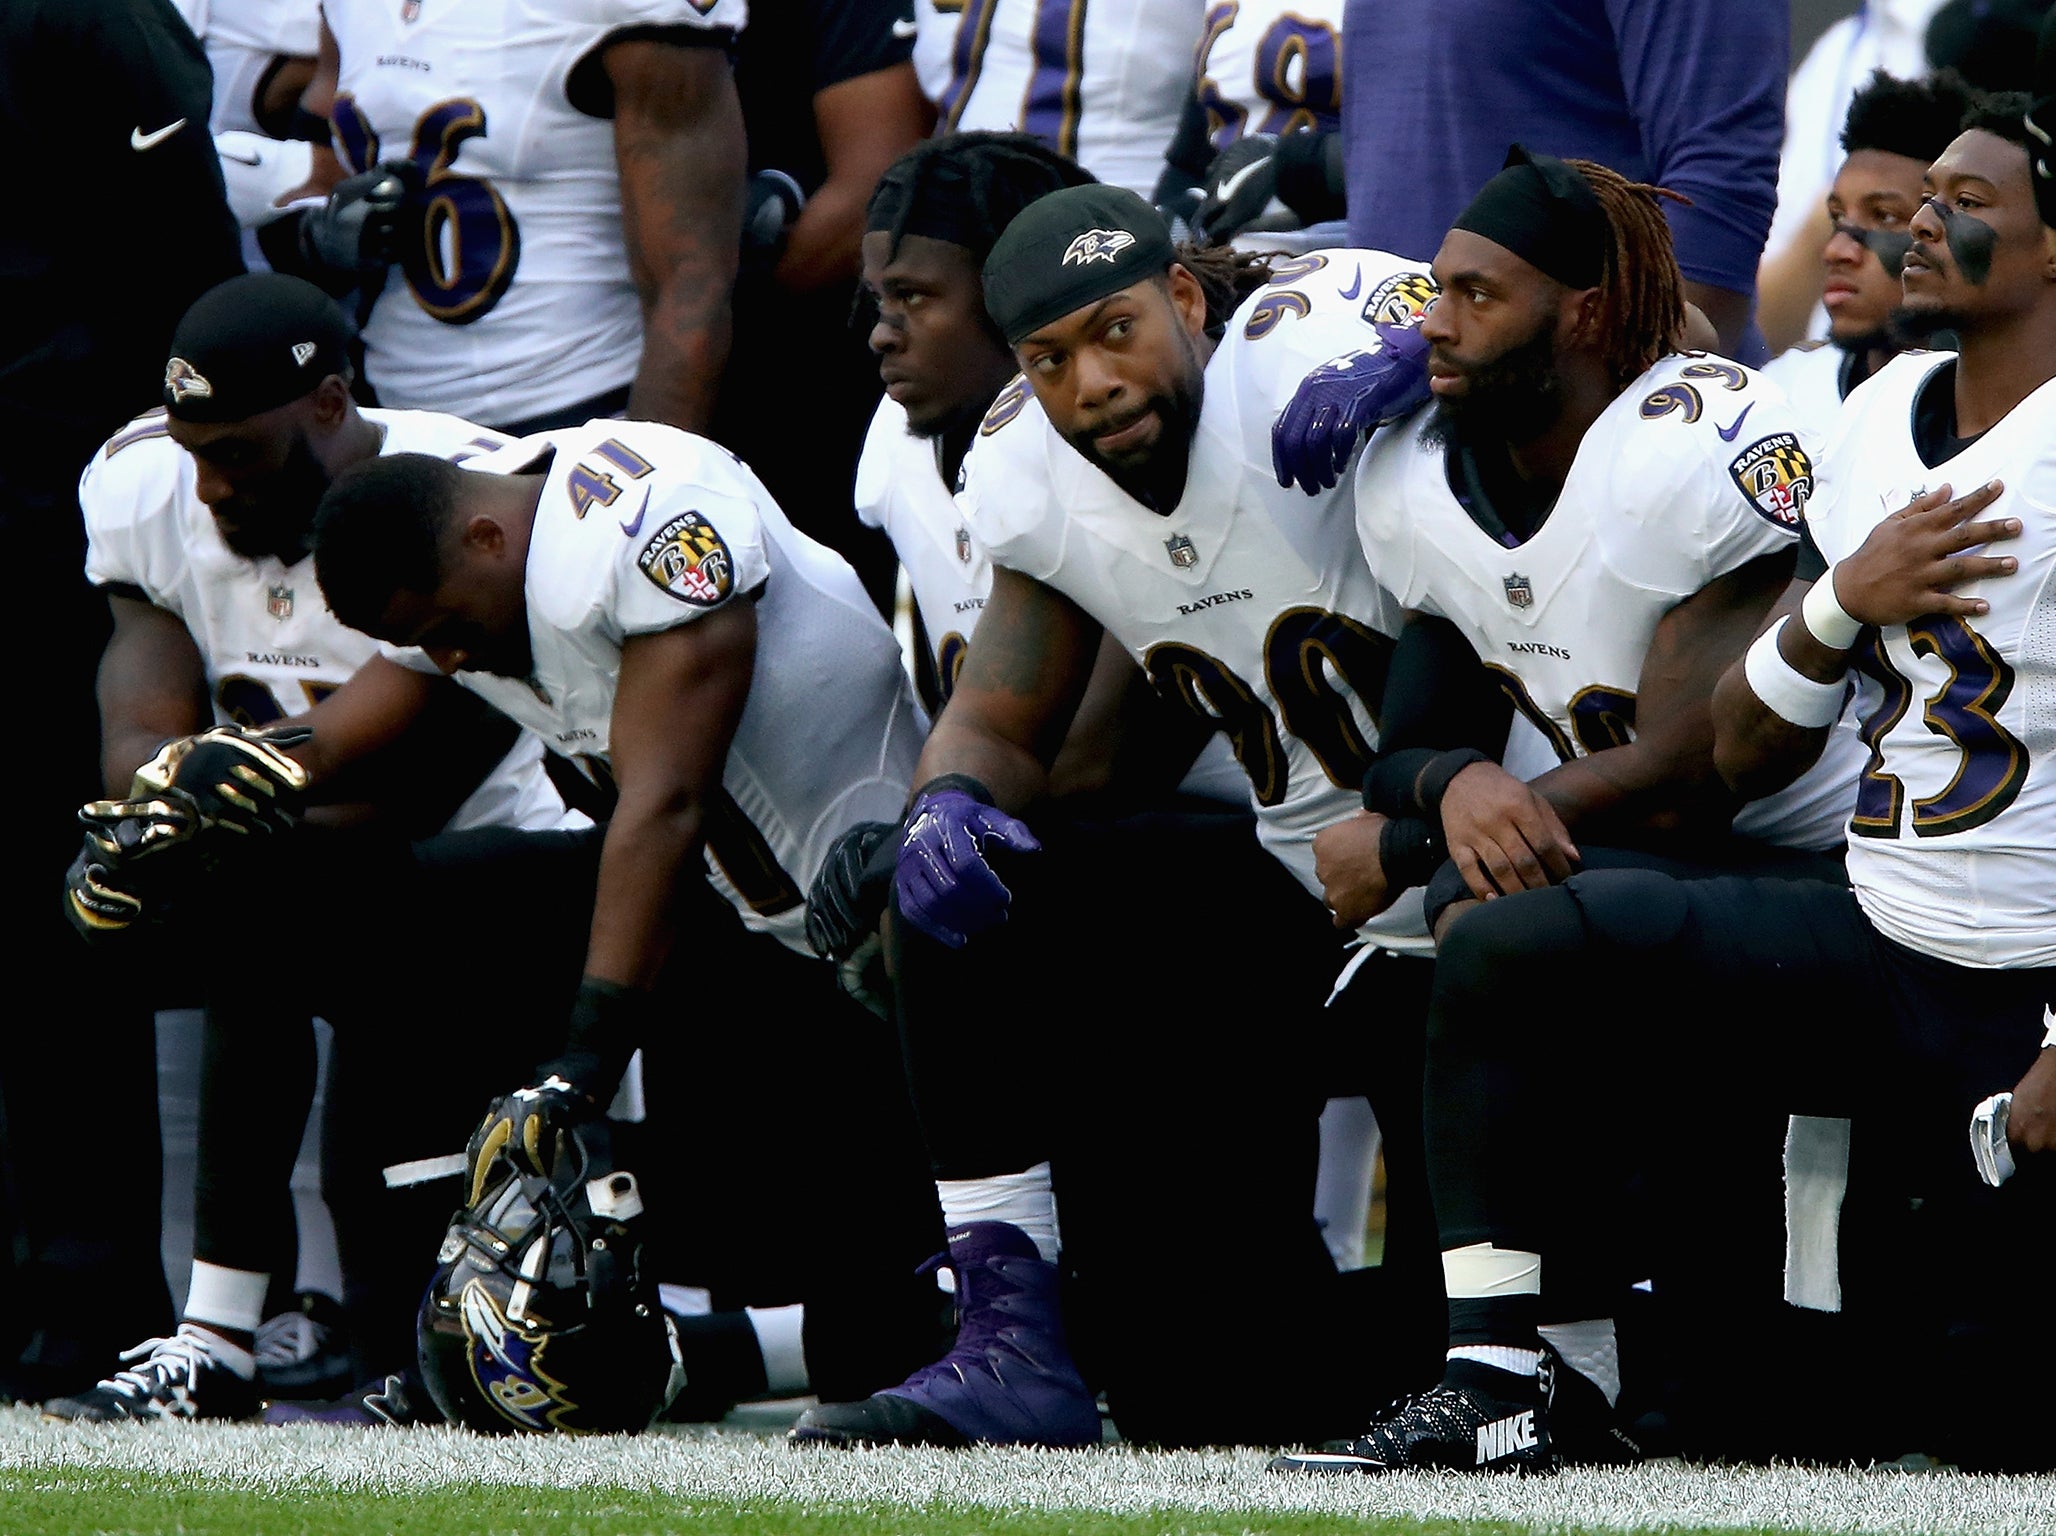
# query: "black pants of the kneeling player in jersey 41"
778, 1140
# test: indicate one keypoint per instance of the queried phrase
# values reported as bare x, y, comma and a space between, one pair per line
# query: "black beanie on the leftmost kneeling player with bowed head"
254, 344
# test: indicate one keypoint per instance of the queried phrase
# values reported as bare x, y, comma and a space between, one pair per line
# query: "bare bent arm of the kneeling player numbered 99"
1664, 780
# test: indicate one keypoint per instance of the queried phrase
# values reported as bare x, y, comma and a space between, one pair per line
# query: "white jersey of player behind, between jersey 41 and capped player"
902, 492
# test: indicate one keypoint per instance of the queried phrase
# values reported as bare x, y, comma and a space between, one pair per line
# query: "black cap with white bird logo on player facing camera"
1070, 250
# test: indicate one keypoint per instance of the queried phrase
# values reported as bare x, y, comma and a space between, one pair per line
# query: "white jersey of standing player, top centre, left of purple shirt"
1103, 81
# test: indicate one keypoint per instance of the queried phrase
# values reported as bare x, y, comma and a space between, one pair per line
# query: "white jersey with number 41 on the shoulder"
645, 529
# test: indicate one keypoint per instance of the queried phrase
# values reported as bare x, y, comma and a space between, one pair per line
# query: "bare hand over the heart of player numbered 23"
1913, 562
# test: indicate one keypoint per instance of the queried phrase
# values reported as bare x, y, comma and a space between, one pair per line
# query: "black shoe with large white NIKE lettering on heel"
1477, 1420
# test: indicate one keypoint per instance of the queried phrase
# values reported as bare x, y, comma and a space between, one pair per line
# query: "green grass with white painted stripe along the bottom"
237, 1479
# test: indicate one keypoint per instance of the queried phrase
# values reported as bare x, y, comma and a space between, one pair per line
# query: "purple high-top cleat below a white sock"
1008, 1381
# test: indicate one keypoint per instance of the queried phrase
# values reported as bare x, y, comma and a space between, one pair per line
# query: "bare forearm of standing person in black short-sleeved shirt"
865, 124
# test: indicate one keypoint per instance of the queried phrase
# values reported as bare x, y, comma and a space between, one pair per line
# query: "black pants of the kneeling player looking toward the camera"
1150, 1021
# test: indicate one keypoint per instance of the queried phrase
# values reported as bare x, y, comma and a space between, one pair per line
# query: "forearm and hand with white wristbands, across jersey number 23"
1775, 706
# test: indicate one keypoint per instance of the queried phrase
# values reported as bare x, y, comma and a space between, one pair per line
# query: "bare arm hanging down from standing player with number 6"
682, 155
